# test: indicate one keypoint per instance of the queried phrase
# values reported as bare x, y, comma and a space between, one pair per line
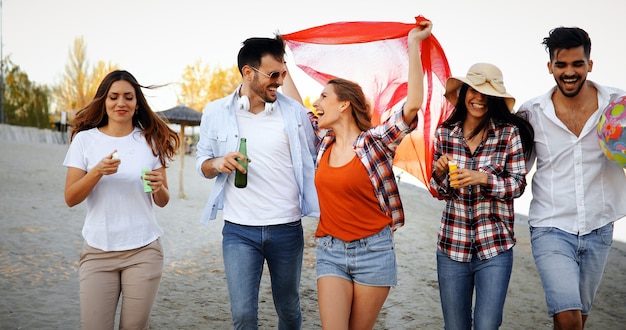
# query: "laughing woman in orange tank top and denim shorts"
359, 201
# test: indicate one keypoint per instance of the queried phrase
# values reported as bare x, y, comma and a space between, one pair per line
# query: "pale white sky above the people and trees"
156, 39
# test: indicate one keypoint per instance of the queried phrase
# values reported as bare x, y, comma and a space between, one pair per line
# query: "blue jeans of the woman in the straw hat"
457, 282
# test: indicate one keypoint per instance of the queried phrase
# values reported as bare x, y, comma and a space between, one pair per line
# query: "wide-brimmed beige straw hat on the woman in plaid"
485, 78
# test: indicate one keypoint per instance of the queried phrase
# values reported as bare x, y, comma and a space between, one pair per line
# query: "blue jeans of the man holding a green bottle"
245, 249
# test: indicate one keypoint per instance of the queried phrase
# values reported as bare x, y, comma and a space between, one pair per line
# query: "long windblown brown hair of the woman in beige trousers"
162, 139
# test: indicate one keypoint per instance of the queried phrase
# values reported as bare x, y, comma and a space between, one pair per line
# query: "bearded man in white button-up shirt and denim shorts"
577, 190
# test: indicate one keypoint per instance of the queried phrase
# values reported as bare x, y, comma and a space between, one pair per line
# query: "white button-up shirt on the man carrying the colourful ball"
575, 188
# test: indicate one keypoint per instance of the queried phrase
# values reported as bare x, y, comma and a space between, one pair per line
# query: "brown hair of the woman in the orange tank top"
347, 90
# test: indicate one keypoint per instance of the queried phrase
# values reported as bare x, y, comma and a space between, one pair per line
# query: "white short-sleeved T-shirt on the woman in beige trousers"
119, 214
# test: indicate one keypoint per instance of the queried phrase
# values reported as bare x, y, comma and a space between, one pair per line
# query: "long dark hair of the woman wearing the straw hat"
497, 111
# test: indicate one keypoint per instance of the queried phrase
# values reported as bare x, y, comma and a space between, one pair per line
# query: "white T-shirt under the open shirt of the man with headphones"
271, 196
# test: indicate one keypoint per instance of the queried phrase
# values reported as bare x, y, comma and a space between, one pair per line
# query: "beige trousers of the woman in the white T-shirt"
104, 276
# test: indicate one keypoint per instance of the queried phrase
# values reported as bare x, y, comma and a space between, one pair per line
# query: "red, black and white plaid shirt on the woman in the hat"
480, 219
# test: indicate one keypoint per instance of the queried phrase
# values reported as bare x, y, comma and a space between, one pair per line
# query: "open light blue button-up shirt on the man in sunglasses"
219, 135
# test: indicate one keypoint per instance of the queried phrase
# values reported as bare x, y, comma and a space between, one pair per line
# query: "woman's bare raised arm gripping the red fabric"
415, 86
